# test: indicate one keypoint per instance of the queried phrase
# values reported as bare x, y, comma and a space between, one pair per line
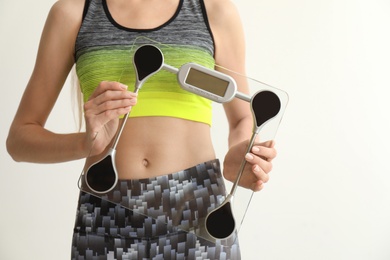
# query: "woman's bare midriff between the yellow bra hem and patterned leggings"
154, 146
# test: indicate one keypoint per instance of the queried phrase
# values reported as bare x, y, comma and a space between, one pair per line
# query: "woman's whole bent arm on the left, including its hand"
28, 140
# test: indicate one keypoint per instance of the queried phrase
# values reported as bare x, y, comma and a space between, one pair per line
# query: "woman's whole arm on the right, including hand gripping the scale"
230, 53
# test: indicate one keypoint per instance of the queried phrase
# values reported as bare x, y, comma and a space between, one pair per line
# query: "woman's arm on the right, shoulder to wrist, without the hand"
230, 54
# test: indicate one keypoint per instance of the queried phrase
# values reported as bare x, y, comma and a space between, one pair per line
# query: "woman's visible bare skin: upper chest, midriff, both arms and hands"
148, 146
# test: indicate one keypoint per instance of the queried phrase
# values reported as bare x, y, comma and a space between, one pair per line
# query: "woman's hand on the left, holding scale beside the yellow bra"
109, 101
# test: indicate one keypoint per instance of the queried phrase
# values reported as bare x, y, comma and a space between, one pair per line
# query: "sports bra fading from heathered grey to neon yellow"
104, 52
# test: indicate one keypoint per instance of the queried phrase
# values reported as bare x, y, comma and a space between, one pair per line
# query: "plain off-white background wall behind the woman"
329, 195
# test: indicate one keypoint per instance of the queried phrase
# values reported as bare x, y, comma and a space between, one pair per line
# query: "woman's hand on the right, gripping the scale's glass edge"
257, 168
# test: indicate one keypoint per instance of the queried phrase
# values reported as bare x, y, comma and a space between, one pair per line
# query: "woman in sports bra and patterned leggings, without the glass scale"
156, 144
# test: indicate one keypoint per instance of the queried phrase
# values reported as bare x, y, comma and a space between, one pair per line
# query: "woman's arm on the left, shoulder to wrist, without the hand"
27, 139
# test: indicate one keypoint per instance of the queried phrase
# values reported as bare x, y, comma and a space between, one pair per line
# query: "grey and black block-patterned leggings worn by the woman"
107, 229
